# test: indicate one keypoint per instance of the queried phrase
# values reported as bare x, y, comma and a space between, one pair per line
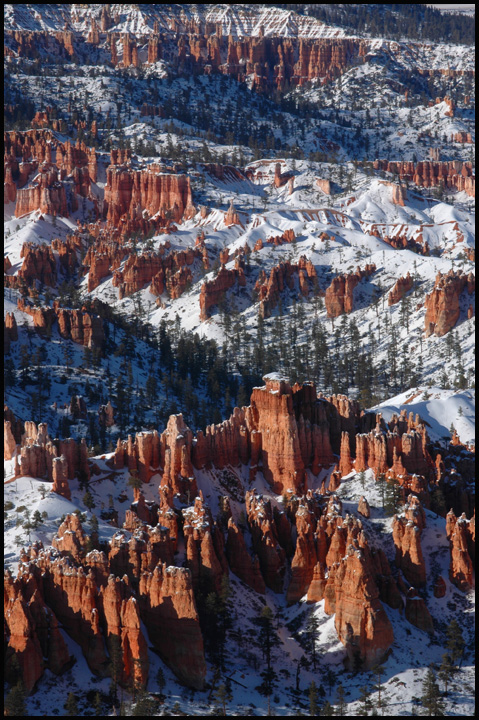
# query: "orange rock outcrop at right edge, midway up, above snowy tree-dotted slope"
442, 304
